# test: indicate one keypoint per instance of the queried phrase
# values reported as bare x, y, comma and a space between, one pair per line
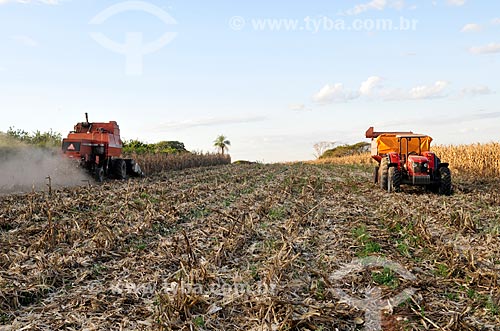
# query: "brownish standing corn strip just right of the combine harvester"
159, 162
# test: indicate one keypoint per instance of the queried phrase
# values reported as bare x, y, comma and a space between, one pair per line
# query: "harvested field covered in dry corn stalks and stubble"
250, 247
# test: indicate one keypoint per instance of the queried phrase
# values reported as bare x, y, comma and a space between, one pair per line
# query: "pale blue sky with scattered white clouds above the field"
275, 77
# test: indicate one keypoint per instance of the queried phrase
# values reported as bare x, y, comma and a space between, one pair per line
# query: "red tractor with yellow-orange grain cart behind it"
405, 158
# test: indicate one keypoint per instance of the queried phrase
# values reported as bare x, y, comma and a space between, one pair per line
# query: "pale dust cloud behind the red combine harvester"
23, 168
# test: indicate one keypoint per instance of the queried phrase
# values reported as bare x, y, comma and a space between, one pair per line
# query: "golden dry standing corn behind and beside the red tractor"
481, 160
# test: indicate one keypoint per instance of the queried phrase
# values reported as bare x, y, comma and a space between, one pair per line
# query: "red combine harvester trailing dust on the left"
98, 148
